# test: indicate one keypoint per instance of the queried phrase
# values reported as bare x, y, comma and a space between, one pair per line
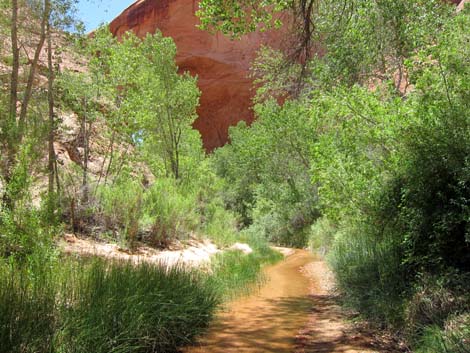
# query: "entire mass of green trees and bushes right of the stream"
368, 156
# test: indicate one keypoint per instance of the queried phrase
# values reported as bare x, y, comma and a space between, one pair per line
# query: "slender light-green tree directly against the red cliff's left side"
168, 100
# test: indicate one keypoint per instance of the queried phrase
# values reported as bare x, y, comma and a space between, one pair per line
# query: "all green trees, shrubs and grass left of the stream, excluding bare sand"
137, 174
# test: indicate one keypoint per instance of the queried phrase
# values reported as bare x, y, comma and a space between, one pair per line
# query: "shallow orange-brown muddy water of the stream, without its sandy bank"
268, 320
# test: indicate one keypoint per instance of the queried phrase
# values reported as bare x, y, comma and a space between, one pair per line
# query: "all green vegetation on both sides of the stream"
366, 159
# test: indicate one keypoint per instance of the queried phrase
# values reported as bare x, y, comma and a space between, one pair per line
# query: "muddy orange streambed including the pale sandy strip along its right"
280, 319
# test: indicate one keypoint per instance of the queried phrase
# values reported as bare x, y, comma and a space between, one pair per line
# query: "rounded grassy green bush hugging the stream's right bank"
369, 273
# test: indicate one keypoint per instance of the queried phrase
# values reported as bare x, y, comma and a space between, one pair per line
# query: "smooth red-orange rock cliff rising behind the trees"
222, 65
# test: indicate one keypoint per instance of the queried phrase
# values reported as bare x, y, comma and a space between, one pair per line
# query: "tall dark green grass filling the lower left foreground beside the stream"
101, 307
